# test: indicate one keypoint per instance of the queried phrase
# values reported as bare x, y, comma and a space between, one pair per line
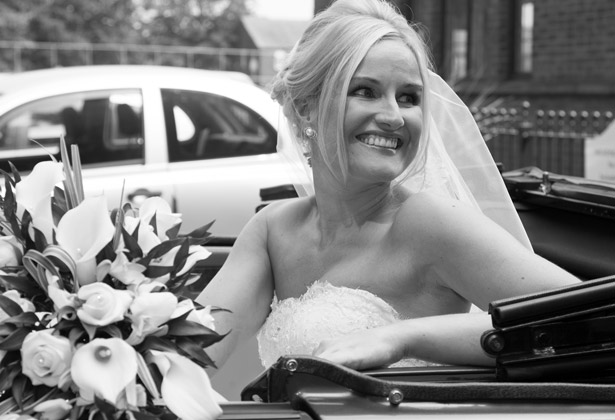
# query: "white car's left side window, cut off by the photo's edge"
107, 126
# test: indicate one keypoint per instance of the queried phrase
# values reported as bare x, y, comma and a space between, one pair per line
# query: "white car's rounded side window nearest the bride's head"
207, 126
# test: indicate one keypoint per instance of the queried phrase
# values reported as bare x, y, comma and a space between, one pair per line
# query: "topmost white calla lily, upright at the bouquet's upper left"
33, 194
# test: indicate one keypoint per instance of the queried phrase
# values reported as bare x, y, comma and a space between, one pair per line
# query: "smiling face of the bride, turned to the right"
383, 119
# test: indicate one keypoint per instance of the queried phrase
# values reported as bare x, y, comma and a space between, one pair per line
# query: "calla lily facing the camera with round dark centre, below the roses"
104, 367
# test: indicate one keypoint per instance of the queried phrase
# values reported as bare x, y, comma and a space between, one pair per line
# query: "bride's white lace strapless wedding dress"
298, 325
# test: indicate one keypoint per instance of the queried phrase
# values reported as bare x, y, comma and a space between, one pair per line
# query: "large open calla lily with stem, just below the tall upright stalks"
83, 232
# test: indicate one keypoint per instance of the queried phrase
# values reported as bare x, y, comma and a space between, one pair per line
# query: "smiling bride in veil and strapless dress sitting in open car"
403, 223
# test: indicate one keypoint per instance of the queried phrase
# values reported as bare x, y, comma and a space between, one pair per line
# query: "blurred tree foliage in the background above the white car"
164, 22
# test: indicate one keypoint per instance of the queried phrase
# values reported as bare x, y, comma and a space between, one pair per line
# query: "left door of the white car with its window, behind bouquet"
108, 128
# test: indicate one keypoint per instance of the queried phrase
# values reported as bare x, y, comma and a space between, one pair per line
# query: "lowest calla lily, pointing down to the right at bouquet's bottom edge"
186, 388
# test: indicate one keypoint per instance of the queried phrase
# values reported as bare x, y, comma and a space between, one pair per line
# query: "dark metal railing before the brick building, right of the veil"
552, 140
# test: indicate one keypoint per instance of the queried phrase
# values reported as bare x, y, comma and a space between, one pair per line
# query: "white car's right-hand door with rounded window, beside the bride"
221, 152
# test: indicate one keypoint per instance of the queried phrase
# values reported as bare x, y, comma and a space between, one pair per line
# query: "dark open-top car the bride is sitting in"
554, 350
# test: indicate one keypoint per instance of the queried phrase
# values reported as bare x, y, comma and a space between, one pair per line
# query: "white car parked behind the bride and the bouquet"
205, 141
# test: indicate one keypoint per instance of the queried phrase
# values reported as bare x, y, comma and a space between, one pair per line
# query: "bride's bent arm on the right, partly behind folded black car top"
469, 254
